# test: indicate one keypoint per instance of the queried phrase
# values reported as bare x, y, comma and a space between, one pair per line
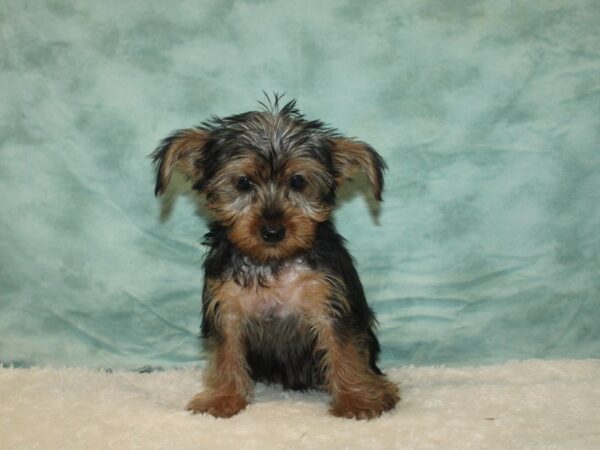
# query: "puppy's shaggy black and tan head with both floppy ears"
269, 176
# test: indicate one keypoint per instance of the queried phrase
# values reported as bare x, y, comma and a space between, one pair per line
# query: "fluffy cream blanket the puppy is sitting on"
520, 405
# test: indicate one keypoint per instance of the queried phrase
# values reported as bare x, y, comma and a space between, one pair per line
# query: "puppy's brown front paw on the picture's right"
367, 402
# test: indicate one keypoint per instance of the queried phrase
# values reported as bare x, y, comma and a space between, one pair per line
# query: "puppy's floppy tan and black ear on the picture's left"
182, 150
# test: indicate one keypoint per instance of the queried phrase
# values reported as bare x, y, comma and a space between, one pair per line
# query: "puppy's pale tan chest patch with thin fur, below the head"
291, 290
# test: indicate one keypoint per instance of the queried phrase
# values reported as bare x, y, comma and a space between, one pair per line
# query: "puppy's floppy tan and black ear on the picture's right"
350, 155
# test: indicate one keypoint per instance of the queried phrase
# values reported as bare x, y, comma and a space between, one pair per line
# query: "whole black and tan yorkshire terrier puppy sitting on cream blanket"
282, 302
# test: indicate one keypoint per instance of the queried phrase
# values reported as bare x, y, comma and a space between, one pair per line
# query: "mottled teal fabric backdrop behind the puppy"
487, 247
